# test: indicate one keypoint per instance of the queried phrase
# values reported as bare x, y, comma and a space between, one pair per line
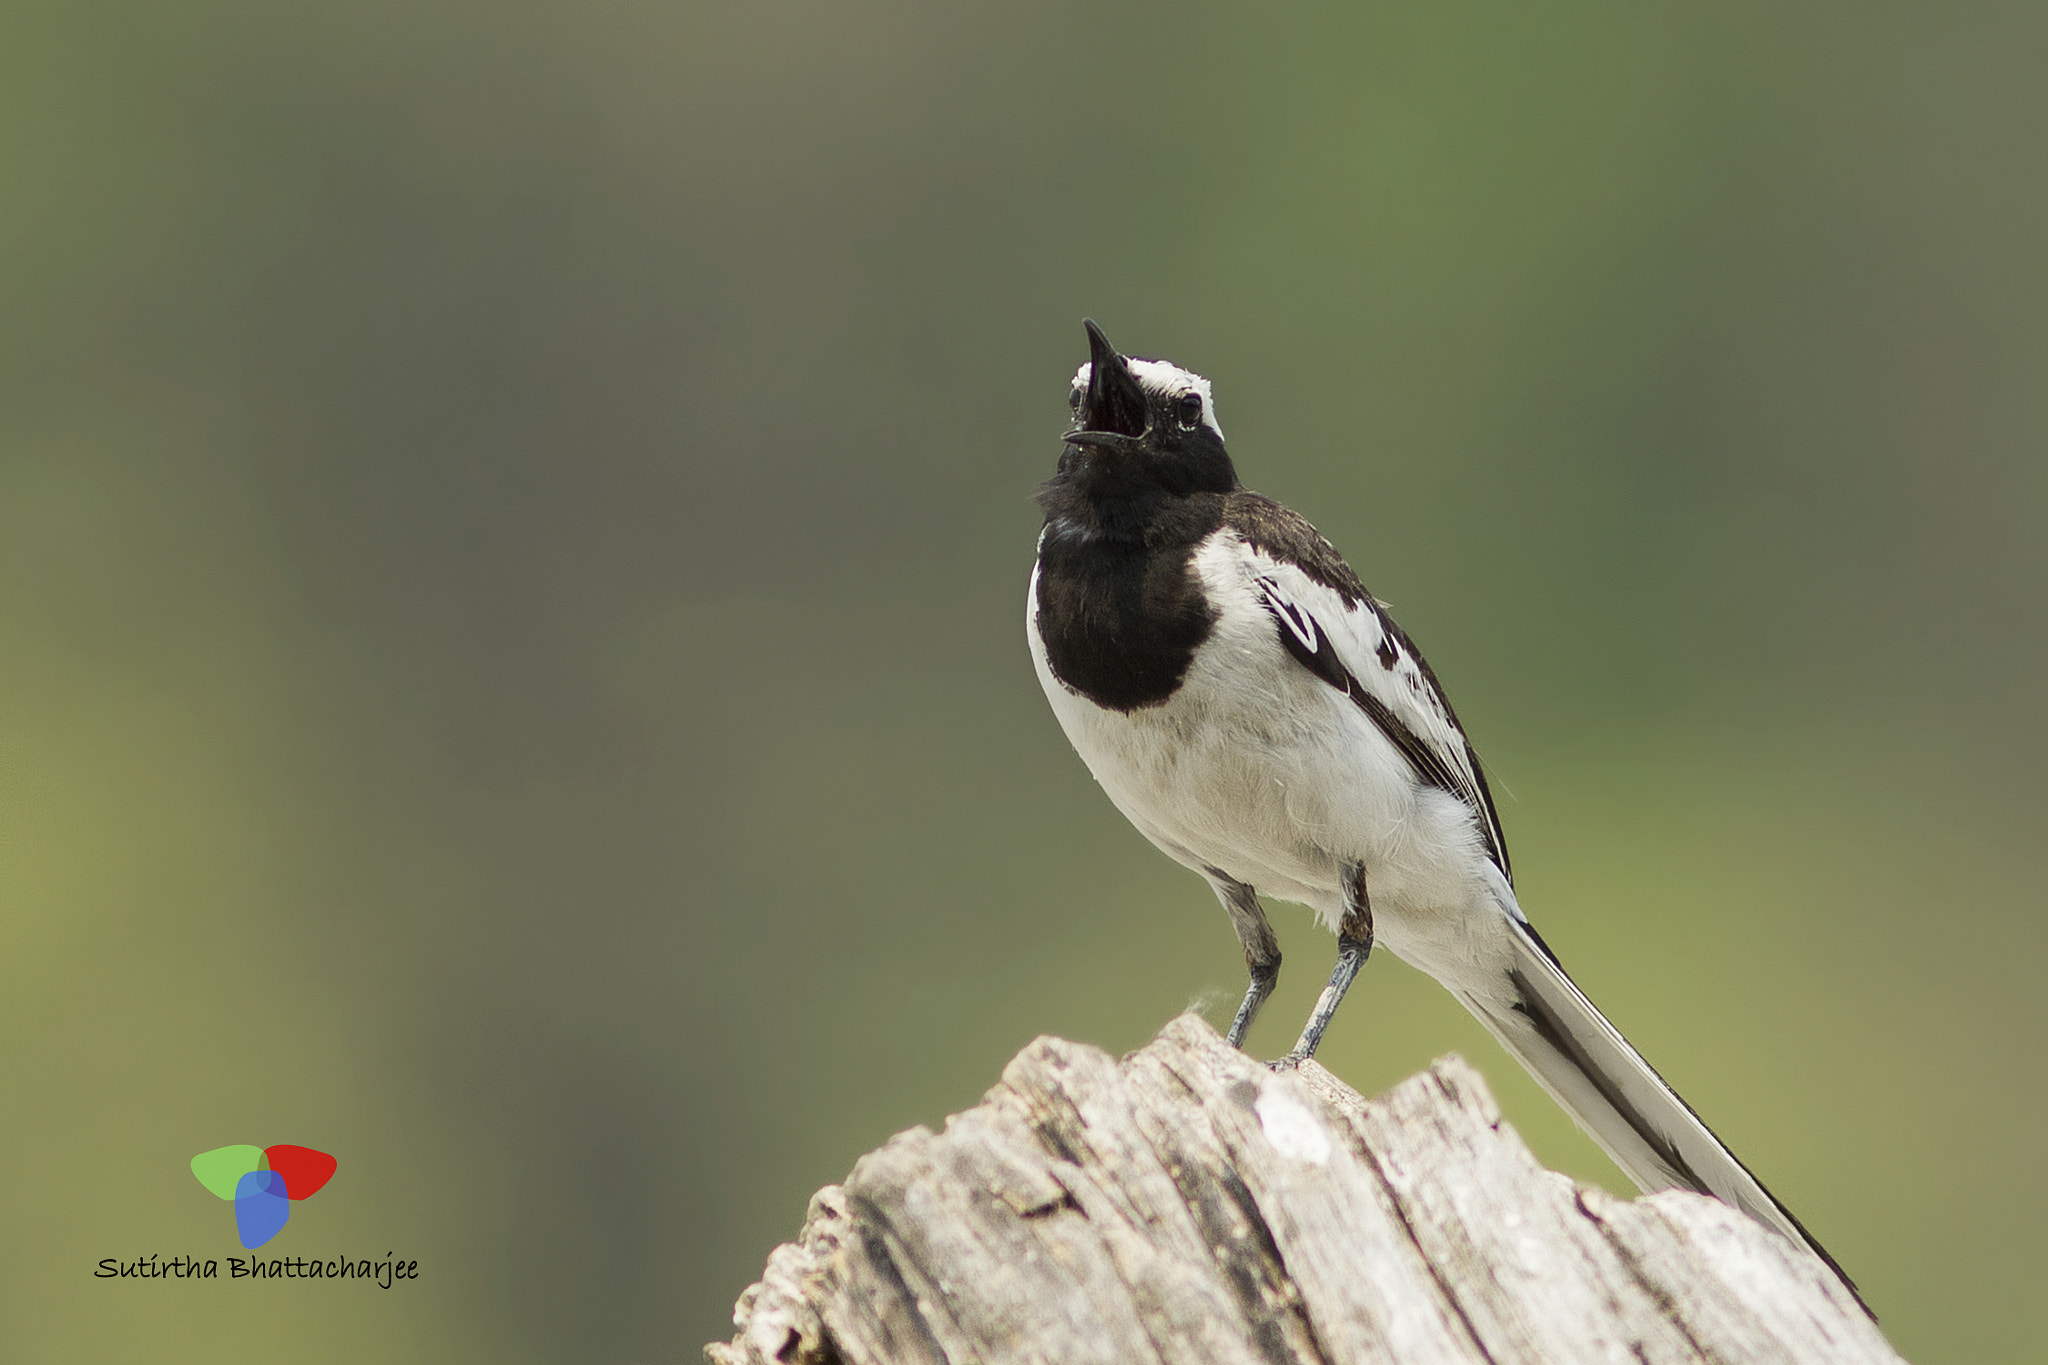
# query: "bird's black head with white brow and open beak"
1144, 425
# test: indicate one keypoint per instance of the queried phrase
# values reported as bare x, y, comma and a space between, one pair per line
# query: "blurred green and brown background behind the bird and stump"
513, 543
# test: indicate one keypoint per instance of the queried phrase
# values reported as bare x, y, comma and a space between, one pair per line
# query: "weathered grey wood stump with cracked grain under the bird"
1191, 1206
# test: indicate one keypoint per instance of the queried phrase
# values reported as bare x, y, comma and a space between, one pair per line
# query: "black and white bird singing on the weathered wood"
1261, 717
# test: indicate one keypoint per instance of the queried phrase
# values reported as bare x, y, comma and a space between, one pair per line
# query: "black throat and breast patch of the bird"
1121, 609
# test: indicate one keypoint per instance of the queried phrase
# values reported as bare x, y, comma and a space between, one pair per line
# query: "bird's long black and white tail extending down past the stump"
1613, 1094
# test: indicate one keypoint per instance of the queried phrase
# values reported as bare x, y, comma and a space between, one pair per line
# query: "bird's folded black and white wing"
1334, 627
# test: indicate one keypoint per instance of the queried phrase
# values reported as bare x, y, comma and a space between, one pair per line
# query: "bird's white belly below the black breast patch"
1261, 770
